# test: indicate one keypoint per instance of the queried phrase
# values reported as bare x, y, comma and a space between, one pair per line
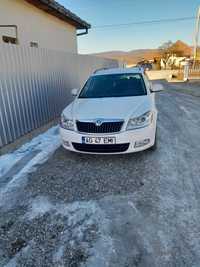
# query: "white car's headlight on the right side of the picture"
141, 121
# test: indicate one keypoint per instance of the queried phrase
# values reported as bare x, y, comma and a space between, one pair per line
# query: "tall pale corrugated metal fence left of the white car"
35, 86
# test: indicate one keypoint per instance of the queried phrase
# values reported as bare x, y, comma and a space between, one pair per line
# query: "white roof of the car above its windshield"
106, 71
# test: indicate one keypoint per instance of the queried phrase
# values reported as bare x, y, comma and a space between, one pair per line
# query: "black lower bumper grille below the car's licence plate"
101, 148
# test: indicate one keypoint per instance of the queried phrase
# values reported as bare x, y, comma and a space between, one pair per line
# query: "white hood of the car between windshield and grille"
108, 108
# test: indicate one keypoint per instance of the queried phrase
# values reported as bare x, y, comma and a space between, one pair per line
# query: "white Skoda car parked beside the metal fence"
114, 113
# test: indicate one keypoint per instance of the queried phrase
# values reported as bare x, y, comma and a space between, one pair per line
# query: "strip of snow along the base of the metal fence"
45, 144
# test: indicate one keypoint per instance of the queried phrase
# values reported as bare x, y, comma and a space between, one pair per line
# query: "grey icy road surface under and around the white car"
124, 211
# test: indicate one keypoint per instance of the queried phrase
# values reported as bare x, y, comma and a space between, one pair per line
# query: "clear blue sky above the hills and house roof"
101, 12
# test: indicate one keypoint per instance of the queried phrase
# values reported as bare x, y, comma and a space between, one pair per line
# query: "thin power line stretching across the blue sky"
145, 22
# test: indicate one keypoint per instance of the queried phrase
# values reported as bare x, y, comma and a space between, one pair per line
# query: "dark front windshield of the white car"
114, 85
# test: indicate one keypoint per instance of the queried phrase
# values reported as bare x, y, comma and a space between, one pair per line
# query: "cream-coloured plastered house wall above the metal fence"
35, 25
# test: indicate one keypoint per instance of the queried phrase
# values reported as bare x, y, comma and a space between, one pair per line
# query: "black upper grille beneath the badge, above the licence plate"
105, 127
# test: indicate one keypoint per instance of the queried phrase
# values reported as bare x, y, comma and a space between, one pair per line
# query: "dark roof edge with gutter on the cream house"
54, 8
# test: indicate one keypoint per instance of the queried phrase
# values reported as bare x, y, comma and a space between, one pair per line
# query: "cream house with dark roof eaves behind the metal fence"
40, 23
